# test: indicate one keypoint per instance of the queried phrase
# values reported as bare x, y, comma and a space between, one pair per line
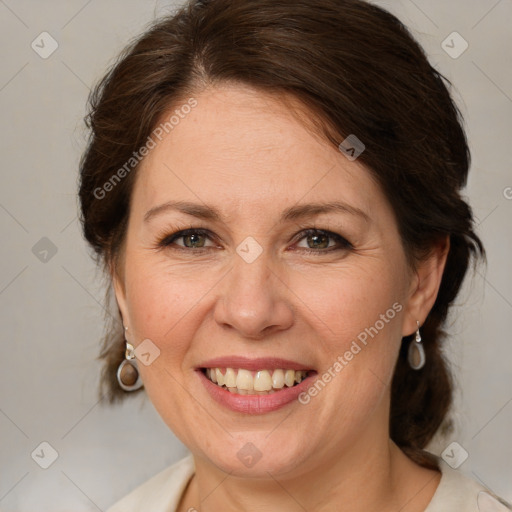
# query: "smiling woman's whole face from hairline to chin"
250, 288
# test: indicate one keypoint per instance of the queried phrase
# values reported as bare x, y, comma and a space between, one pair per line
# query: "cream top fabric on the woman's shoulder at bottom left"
161, 493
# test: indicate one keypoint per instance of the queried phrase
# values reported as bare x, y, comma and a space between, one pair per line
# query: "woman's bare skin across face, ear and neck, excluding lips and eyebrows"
246, 154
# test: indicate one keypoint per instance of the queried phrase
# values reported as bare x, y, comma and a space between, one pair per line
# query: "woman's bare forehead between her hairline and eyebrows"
240, 146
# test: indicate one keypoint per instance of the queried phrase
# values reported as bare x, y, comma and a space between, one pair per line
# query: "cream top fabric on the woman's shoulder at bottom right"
459, 492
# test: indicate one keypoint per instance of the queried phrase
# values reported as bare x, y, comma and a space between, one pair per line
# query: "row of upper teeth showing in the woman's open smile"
261, 382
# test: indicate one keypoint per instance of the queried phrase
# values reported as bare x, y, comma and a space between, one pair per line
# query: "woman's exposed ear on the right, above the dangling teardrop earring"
425, 283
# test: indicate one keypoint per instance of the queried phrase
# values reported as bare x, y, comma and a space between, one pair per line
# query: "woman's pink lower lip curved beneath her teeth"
254, 404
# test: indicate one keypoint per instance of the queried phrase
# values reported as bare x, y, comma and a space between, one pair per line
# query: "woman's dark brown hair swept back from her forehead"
357, 70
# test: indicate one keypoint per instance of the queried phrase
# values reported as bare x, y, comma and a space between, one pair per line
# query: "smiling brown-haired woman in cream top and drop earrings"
274, 190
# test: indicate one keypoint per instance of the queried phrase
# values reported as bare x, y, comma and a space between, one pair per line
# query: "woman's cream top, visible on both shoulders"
162, 493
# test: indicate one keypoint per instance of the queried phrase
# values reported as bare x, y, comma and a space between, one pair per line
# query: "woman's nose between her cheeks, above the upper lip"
253, 300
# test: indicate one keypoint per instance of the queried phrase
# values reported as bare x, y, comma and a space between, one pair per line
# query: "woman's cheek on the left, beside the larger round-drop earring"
164, 306
